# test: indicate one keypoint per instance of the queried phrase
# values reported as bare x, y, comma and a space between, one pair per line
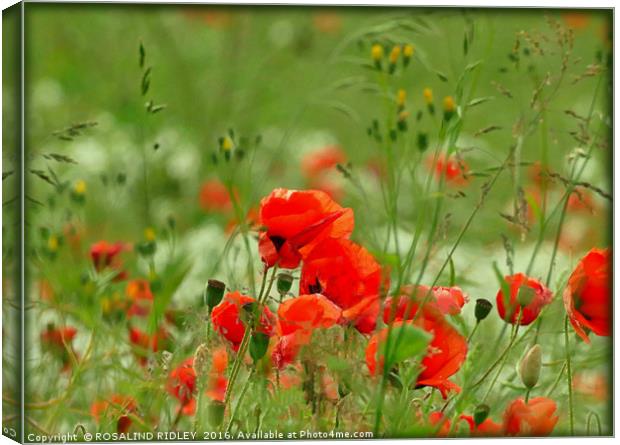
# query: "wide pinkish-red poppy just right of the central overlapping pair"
447, 300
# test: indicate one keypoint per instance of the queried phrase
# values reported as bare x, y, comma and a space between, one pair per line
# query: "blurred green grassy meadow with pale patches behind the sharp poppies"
296, 79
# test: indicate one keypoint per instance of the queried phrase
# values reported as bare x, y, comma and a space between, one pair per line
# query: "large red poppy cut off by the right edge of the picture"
587, 296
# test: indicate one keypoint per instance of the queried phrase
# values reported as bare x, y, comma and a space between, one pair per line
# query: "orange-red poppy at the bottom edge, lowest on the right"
534, 418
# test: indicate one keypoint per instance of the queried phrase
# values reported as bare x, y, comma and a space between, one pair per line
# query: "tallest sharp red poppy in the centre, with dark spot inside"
295, 221
